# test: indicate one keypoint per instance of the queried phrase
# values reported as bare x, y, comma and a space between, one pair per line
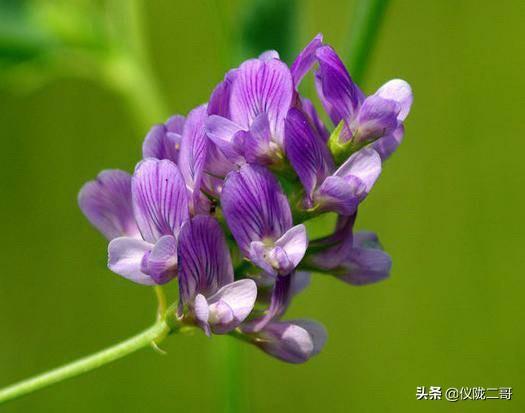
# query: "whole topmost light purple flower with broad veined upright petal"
251, 105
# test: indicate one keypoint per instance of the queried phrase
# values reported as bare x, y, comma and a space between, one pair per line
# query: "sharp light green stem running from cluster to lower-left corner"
85, 364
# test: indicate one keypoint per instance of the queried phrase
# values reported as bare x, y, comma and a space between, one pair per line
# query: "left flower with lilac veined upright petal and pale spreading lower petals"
160, 205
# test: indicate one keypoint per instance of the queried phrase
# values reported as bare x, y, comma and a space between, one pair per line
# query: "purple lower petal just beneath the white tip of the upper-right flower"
377, 118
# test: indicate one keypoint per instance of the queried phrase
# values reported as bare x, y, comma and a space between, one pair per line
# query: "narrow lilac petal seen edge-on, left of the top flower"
193, 156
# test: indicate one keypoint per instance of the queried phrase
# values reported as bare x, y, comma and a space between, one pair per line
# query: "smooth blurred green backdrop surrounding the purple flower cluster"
448, 208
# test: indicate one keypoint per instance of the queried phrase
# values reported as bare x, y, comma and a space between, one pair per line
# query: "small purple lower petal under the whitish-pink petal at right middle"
340, 195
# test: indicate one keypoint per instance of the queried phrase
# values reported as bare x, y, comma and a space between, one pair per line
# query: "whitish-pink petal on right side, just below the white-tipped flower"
365, 164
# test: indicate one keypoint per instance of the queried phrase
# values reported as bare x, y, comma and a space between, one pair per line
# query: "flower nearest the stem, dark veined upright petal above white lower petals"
217, 302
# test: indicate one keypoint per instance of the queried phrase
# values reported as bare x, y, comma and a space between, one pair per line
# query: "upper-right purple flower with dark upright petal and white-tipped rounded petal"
366, 119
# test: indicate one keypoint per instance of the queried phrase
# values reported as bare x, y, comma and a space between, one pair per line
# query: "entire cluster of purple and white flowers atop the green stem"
218, 199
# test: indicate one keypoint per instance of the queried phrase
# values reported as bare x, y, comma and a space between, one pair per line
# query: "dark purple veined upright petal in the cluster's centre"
255, 206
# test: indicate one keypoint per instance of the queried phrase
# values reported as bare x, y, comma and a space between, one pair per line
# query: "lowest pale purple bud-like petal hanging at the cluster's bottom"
286, 341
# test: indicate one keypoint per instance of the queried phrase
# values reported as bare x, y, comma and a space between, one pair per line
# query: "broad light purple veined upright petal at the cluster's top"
262, 86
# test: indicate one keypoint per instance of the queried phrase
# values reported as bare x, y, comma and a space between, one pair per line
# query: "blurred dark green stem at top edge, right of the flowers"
367, 21
